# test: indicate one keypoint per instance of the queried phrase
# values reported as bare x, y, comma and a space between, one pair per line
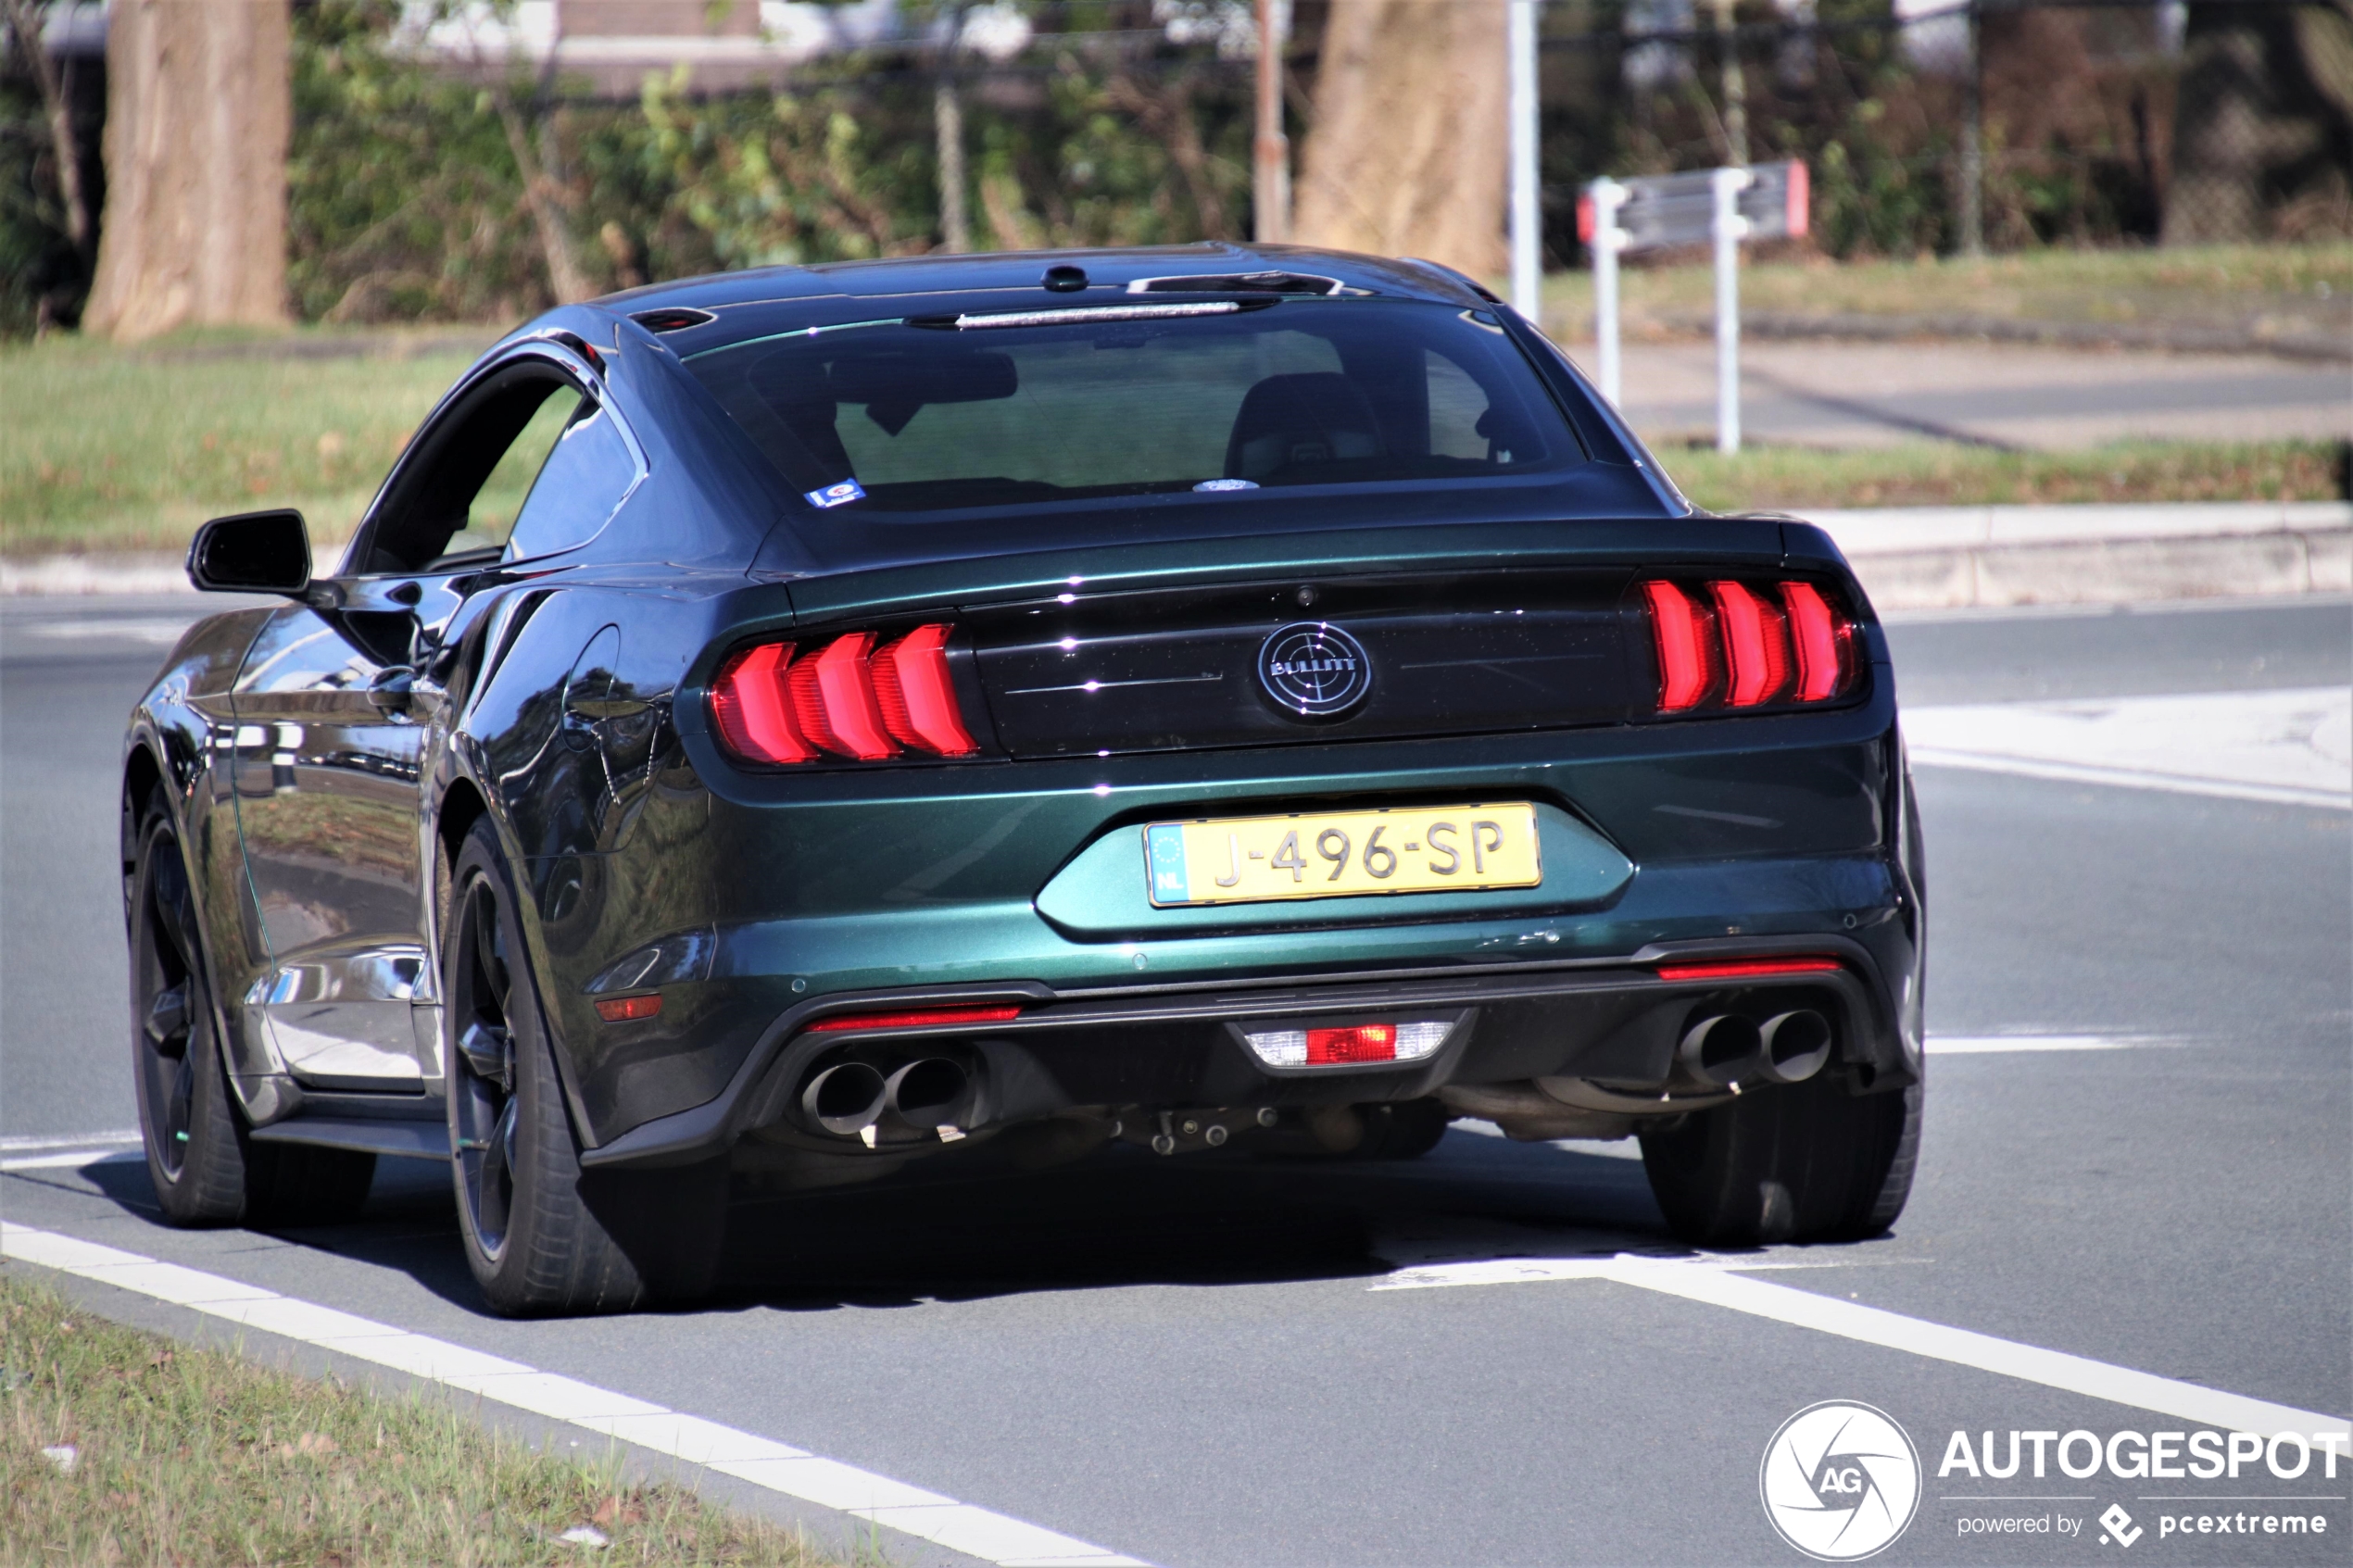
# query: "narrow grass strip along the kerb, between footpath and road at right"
1933, 474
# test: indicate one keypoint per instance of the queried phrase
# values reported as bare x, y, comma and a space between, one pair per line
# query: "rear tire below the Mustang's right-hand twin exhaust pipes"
1808, 1162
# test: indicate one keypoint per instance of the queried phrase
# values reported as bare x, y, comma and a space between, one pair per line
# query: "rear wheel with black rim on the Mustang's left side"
542, 1235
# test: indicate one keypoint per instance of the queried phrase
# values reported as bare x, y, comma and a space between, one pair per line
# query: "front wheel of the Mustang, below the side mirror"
201, 1155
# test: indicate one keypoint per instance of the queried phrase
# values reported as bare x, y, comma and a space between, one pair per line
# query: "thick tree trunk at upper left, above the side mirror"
196, 168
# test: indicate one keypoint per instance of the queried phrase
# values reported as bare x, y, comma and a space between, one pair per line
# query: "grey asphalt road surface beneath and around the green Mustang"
1194, 1362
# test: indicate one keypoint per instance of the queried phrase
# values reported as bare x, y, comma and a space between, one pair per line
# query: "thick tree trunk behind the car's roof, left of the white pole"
1406, 156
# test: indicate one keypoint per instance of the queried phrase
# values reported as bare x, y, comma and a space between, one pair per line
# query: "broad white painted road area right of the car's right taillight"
2288, 746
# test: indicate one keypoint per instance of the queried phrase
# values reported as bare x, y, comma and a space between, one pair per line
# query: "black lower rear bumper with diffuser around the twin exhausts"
1611, 1021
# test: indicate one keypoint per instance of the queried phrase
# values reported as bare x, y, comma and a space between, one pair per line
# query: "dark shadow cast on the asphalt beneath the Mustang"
1116, 1219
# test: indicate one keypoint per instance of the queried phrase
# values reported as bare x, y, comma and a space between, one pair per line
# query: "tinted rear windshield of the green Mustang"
1128, 401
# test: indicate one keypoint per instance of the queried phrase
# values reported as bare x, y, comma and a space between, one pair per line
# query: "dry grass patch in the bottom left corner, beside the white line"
196, 1456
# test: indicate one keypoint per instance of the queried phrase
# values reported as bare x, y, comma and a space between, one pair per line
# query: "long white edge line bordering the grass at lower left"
780, 1468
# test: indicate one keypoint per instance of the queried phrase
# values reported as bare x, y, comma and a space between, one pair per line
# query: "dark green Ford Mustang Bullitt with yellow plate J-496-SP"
985, 709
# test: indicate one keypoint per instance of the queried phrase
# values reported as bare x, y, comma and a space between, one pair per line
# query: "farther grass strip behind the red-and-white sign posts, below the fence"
2262, 290
